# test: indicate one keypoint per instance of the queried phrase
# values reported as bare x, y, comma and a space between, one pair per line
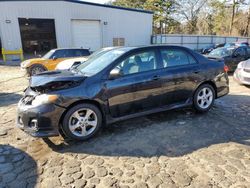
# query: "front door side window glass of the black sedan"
140, 62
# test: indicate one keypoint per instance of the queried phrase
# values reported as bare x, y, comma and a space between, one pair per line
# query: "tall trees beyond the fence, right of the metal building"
220, 17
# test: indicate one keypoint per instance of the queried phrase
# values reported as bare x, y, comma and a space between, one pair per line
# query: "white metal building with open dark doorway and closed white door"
46, 24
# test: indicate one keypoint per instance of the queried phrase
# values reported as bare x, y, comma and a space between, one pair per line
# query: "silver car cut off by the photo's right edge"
242, 73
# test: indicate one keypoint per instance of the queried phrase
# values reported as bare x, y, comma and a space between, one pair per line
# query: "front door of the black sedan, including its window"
139, 87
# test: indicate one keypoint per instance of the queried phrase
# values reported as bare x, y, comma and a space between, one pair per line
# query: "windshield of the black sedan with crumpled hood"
98, 62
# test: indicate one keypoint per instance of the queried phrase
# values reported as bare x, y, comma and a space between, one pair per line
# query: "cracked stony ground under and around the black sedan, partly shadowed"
170, 149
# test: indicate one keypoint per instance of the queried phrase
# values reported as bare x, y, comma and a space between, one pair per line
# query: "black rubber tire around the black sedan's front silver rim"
68, 116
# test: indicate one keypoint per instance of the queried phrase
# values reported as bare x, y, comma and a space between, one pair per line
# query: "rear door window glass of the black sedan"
176, 57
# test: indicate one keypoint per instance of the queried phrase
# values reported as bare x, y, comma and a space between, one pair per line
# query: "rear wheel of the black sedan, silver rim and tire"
204, 98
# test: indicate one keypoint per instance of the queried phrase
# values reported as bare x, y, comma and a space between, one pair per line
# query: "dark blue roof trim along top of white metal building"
93, 4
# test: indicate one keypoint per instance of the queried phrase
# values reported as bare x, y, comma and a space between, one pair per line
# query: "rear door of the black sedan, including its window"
182, 72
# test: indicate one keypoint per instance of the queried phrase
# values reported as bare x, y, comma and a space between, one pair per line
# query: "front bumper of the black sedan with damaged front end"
39, 121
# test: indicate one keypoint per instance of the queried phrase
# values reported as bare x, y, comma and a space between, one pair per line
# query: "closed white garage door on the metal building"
86, 34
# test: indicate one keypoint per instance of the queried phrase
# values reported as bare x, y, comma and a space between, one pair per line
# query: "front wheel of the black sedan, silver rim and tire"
82, 122
